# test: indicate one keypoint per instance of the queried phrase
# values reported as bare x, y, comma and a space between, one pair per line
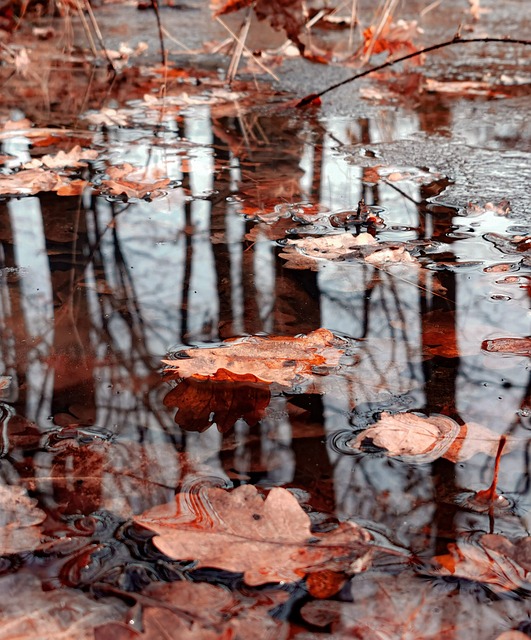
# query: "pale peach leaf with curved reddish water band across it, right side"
419, 439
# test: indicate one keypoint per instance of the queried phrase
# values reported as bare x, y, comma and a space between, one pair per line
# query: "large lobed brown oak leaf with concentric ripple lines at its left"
267, 540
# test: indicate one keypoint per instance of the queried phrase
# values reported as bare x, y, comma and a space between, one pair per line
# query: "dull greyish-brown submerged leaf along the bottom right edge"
408, 607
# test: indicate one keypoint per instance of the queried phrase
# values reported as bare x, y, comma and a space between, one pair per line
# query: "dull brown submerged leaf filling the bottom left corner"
26, 611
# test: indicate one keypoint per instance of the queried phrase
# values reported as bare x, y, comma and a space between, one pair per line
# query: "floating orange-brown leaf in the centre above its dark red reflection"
284, 361
